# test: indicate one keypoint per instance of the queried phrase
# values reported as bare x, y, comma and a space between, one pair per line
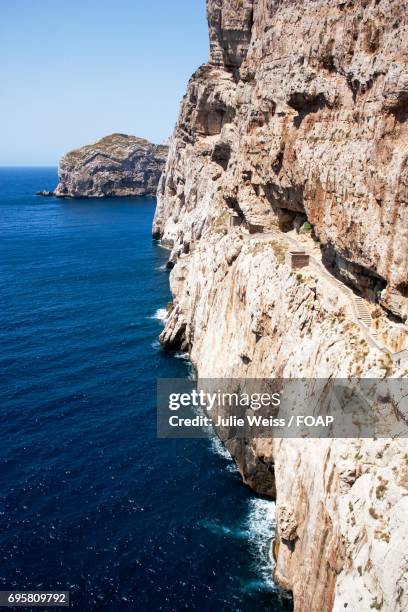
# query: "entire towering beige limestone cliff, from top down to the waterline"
300, 116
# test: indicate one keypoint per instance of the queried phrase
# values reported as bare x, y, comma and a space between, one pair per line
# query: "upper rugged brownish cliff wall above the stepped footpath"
302, 111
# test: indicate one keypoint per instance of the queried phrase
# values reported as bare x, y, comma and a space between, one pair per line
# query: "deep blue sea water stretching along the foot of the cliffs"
90, 500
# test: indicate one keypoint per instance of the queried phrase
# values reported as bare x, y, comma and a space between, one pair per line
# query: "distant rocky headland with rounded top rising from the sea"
117, 165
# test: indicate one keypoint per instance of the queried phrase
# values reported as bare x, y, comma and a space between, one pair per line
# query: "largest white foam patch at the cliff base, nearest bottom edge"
261, 531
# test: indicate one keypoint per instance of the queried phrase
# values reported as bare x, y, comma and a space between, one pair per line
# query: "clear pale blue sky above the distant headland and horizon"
73, 71
